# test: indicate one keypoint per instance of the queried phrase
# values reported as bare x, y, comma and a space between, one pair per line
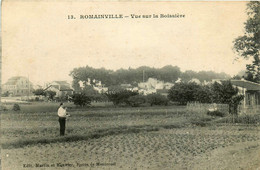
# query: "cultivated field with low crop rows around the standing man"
128, 138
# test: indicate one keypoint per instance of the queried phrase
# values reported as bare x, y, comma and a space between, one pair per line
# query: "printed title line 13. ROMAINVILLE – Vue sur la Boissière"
121, 16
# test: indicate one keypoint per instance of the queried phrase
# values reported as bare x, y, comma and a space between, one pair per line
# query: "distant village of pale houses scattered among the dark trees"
21, 86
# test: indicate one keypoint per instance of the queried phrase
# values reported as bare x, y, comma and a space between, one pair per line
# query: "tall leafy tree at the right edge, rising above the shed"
248, 45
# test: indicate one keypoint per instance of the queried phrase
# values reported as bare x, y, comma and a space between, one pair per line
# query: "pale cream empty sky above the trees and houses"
40, 42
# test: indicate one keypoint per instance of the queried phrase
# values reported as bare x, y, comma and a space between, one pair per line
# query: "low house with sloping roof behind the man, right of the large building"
62, 88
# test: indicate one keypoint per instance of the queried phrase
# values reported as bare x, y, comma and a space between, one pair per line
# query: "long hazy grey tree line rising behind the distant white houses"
132, 76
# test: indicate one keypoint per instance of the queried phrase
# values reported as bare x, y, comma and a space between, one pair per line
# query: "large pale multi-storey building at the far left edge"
18, 86
